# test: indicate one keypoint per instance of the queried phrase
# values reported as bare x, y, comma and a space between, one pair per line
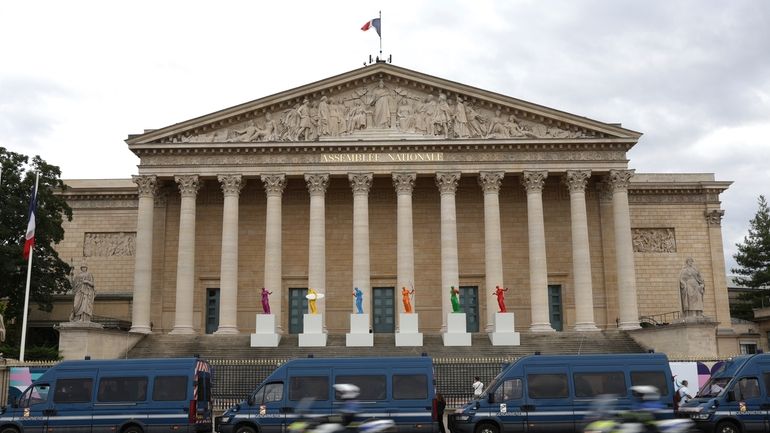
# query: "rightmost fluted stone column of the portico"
624, 249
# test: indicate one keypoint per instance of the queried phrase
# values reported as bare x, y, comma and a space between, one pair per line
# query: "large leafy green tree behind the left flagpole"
49, 272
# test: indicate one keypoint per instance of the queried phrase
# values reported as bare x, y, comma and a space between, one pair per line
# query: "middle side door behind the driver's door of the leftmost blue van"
72, 408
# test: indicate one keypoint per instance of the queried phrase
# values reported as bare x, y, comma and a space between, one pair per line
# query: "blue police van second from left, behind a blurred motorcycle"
400, 389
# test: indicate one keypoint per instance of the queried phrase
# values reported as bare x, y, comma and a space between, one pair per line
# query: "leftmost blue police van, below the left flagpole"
115, 396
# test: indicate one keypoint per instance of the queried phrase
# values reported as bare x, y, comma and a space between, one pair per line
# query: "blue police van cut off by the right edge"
736, 399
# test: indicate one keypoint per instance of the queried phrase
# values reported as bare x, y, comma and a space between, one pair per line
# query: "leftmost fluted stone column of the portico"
140, 313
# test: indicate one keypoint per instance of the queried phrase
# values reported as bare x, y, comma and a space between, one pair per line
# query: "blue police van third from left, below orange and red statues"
556, 393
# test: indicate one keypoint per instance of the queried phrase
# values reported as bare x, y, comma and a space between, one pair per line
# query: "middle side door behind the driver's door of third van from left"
548, 401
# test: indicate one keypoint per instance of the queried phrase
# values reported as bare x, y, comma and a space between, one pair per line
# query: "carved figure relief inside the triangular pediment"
384, 108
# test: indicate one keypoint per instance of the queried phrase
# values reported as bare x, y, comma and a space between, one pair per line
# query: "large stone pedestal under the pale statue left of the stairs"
80, 339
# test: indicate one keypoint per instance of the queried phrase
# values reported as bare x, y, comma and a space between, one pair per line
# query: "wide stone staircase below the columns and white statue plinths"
238, 346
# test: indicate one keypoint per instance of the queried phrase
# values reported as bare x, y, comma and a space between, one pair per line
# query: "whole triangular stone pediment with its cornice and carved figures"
383, 102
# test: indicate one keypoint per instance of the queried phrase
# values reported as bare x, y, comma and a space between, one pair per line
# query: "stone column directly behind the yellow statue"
316, 274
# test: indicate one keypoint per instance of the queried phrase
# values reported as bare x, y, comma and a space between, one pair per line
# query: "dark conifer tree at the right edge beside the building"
753, 258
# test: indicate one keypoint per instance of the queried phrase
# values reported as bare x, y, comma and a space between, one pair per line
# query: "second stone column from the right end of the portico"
576, 181
